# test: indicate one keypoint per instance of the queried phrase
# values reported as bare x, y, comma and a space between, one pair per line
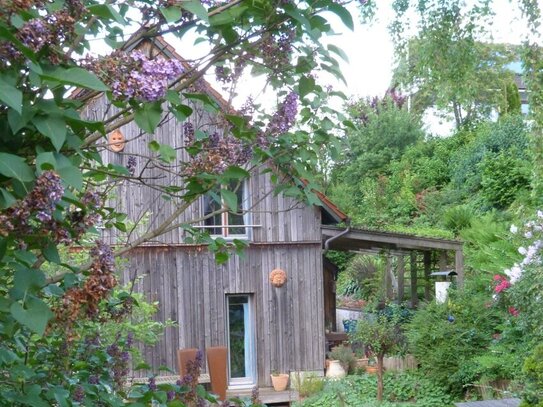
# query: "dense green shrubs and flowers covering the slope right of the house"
475, 185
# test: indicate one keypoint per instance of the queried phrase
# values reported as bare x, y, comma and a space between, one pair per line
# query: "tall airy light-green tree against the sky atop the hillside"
449, 64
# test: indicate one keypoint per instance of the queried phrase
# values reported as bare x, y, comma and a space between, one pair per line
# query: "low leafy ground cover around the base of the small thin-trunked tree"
401, 390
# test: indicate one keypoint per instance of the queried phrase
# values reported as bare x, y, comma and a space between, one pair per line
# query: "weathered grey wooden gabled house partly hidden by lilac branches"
265, 328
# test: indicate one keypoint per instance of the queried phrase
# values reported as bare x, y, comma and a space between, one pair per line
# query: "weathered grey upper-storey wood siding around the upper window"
277, 219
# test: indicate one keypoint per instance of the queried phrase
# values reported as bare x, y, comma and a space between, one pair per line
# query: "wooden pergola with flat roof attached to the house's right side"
425, 256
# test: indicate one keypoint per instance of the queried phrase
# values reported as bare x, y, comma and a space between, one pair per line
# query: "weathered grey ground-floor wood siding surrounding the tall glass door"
192, 290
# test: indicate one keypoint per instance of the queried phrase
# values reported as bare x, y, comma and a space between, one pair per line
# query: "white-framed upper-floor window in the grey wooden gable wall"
232, 222
